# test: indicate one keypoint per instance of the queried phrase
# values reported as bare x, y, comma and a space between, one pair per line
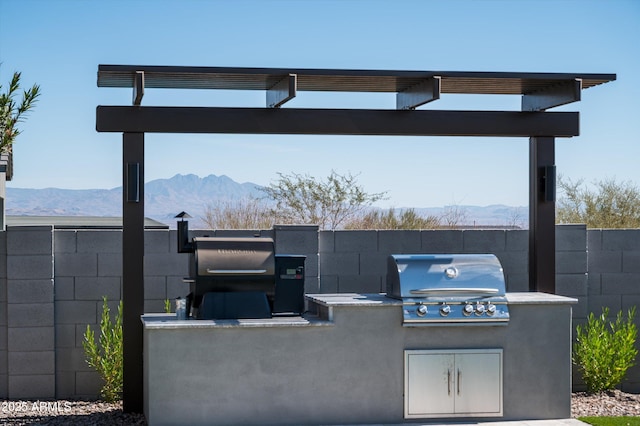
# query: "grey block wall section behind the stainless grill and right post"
355, 261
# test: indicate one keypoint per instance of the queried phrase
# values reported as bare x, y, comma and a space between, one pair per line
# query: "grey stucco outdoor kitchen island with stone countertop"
344, 363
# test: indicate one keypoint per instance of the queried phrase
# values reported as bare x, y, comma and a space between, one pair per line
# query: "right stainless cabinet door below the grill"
478, 383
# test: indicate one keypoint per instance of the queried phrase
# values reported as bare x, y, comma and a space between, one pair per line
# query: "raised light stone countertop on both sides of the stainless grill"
380, 299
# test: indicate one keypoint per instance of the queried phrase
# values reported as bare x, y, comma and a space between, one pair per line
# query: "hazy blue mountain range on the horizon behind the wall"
164, 198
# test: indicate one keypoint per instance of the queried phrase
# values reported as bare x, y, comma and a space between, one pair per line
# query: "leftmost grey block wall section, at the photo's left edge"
29, 308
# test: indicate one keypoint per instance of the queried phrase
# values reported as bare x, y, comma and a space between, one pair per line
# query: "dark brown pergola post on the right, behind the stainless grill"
542, 215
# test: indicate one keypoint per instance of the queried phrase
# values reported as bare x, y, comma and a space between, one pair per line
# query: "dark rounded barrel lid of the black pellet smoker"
227, 257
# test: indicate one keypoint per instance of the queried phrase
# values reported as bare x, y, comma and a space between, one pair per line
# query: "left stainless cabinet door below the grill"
428, 384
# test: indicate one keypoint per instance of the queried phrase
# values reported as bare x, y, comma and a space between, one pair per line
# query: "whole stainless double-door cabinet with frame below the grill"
453, 383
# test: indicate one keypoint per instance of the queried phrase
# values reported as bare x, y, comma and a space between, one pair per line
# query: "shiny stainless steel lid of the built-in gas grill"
444, 276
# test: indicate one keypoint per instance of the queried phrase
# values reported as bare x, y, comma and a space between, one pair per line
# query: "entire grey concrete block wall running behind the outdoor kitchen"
52, 282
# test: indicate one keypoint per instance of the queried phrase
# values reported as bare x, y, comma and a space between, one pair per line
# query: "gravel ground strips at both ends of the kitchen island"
84, 413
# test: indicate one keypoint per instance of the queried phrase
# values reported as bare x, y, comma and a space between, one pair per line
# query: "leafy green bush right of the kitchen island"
605, 350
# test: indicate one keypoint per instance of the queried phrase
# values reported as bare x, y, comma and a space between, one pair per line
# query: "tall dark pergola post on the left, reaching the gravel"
132, 269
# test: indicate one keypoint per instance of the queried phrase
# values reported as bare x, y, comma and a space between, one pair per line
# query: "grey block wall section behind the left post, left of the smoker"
88, 268
